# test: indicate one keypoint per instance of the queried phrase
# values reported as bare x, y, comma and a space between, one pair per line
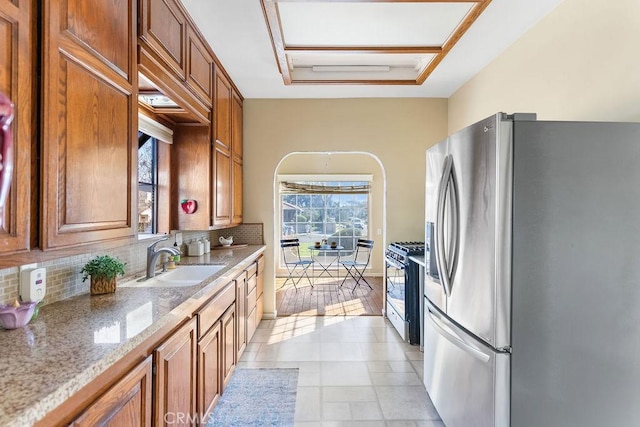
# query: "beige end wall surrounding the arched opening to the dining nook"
396, 131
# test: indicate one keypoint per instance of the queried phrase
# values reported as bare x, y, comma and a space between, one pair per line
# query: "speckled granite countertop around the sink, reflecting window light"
73, 341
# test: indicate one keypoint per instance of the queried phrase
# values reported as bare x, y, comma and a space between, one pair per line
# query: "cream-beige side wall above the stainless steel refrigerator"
580, 62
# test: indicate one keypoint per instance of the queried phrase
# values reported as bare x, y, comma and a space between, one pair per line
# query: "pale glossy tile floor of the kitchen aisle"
353, 370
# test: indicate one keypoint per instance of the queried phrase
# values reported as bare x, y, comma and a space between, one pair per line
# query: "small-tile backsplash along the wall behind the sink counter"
65, 281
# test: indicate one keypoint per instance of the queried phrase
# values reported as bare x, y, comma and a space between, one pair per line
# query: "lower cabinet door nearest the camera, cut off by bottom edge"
127, 403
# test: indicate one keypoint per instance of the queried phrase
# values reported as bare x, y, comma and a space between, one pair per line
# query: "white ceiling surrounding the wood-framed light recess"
237, 33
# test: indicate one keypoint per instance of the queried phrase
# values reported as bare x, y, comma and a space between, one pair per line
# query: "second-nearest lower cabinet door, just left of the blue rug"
175, 381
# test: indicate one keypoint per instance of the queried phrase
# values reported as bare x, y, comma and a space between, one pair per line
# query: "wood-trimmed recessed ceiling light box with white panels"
379, 42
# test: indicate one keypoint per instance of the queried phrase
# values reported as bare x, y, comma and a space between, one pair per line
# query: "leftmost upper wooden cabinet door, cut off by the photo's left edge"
16, 71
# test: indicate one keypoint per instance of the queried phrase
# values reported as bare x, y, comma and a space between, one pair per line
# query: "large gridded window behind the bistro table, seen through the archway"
335, 208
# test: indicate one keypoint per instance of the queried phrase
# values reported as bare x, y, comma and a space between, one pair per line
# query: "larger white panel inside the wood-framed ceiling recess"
370, 24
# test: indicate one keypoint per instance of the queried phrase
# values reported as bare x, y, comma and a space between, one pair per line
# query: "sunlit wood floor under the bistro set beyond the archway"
325, 299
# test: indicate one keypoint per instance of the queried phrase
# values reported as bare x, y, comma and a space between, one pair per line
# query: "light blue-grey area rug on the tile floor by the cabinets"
257, 397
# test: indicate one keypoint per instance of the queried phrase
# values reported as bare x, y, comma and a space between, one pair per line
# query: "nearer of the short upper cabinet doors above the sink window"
163, 28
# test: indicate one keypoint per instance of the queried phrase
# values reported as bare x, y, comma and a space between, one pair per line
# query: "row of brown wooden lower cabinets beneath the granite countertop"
182, 380
